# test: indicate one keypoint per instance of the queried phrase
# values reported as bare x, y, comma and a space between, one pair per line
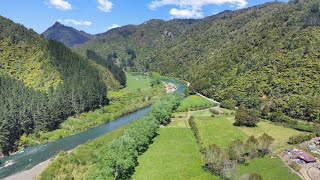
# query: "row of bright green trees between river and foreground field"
120, 157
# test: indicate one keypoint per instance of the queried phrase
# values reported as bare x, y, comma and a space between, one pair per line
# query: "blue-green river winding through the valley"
32, 156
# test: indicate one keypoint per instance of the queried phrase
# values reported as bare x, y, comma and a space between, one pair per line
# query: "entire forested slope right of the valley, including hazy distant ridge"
265, 57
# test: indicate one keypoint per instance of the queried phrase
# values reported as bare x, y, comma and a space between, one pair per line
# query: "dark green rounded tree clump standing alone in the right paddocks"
246, 117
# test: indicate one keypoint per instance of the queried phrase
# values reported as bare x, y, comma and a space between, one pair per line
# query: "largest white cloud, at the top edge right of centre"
193, 8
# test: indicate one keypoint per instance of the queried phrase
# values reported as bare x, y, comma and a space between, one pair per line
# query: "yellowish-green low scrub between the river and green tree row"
81, 159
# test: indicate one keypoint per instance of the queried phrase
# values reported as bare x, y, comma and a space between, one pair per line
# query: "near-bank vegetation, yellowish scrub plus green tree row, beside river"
118, 158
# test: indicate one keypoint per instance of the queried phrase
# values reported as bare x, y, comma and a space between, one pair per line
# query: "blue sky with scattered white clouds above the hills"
98, 16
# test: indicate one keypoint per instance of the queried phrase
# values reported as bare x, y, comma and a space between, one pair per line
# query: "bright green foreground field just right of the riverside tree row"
173, 155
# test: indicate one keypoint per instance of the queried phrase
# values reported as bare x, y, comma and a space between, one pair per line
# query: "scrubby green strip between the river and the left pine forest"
121, 103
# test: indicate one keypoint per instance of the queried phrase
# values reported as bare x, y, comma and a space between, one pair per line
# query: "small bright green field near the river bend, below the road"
194, 102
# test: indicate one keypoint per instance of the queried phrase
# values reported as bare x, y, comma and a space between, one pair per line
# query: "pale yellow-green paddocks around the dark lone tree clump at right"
221, 131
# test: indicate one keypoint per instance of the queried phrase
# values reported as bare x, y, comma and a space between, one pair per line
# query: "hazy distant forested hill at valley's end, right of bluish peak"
142, 40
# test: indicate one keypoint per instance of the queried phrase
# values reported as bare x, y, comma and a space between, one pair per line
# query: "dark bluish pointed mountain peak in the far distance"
67, 35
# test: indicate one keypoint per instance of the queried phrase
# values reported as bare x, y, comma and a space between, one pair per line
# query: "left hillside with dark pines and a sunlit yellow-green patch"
42, 83
